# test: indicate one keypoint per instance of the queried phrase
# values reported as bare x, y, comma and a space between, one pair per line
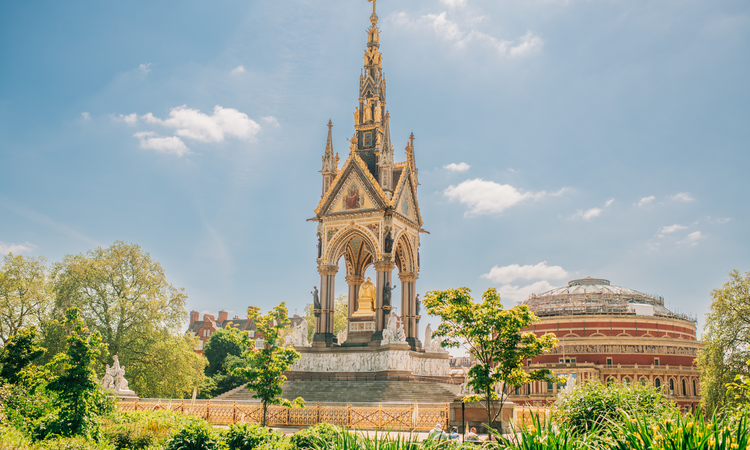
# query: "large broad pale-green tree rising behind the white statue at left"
124, 294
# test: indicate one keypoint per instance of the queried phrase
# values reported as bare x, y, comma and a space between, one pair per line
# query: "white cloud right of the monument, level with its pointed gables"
488, 197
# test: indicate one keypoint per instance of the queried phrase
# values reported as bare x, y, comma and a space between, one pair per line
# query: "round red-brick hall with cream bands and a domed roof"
613, 334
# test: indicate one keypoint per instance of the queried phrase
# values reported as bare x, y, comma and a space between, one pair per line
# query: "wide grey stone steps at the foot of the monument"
358, 391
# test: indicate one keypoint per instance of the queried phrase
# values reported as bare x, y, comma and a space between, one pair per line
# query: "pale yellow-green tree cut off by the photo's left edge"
25, 294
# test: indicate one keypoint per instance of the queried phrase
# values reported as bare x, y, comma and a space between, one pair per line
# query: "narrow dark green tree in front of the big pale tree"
78, 392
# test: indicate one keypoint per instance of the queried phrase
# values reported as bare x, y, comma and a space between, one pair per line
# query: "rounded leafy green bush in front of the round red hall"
592, 405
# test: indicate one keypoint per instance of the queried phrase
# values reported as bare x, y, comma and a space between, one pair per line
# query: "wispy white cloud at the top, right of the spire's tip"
449, 30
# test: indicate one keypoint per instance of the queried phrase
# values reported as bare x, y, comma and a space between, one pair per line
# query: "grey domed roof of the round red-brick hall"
597, 296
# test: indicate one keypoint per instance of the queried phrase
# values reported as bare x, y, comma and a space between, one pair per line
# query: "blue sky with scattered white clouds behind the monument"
570, 138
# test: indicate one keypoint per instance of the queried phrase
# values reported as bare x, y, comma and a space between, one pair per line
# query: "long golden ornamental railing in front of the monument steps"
365, 416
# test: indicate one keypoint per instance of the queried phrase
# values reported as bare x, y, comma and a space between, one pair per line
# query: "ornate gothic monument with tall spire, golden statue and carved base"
369, 215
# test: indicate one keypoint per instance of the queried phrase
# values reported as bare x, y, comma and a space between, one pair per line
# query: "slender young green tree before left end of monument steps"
264, 368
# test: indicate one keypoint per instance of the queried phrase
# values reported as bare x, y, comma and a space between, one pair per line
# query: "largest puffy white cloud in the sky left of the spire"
193, 124
